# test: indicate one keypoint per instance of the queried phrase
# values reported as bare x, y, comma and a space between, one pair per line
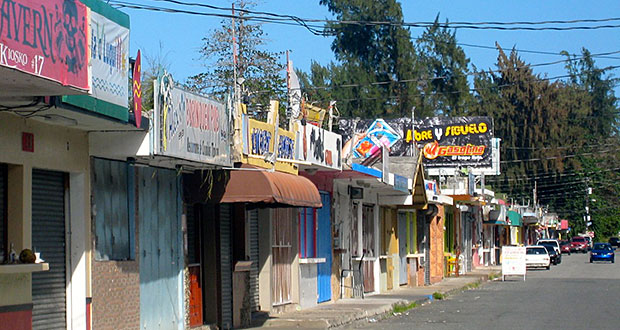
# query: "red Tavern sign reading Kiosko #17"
49, 39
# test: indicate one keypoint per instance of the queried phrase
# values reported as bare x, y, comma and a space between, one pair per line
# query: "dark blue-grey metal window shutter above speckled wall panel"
114, 199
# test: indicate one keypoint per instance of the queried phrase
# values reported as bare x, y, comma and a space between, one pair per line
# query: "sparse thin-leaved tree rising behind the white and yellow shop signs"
260, 69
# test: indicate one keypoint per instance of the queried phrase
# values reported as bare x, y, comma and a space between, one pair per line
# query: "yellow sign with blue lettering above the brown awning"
261, 138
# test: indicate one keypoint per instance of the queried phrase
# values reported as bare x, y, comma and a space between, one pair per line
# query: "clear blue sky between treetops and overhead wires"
180, 35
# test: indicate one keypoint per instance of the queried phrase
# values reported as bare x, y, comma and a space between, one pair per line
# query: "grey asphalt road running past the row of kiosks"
572, 295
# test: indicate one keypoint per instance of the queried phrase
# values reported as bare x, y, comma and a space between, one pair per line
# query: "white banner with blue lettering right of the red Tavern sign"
109, 60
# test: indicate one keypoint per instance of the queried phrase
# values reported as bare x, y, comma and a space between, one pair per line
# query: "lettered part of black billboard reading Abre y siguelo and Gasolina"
455, 141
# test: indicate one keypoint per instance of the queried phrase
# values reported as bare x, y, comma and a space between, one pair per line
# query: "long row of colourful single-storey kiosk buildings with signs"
193, 213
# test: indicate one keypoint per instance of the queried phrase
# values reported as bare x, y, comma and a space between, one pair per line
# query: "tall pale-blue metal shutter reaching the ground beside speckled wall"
161, 256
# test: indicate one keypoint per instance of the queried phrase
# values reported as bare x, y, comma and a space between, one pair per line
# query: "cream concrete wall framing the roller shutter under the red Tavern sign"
56, 148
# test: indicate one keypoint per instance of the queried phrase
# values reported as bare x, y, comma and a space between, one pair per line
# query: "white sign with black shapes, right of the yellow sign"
319, 146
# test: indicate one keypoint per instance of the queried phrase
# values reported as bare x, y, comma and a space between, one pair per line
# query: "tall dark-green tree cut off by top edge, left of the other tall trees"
374, 58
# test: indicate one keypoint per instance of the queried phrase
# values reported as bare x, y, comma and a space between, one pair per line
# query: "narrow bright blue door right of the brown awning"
324, 249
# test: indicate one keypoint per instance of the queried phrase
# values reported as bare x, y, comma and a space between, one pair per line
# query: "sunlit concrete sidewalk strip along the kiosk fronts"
374, 307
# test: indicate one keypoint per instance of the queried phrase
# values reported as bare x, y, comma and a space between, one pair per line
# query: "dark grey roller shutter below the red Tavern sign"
49, 289
